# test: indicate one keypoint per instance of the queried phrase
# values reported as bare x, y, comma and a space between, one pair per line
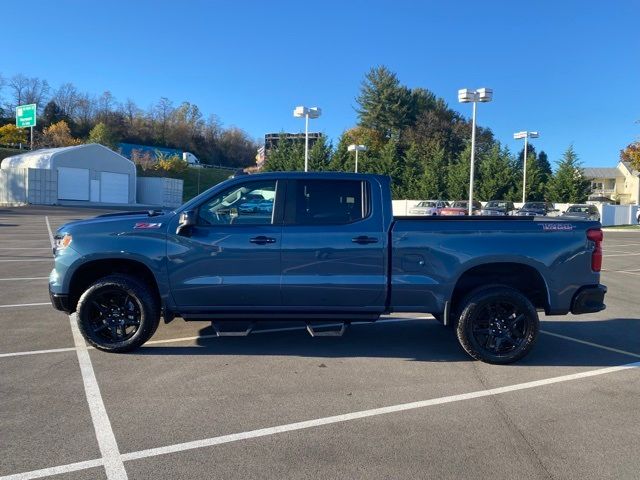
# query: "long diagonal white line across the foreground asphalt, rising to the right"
318, 422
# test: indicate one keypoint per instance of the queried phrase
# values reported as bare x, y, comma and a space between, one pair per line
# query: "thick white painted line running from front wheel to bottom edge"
104, 433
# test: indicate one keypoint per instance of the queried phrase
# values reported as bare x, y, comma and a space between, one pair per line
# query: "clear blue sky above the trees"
569, 69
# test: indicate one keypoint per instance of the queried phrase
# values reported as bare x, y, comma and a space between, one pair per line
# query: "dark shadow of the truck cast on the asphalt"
419, 340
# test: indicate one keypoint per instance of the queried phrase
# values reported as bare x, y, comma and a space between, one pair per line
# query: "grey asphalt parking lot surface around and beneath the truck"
396, 399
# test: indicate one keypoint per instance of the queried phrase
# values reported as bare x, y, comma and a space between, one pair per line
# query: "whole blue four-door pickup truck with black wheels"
318, 247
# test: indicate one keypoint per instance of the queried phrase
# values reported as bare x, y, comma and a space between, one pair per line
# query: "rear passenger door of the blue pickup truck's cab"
333, 246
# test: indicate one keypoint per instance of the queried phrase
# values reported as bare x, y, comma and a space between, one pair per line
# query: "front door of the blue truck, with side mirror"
231, 257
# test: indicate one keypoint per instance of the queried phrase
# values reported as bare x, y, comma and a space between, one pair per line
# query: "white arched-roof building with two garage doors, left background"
84, 173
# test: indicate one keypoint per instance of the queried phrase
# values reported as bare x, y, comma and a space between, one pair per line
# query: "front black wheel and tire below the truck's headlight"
117, 313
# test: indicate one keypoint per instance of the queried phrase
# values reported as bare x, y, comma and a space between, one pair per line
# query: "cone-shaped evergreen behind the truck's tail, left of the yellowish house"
568, 184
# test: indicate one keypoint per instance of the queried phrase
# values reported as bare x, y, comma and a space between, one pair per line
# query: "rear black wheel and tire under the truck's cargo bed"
497, 325
